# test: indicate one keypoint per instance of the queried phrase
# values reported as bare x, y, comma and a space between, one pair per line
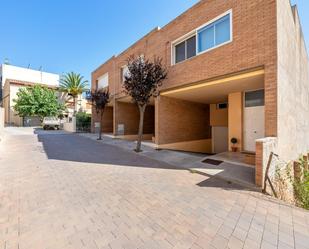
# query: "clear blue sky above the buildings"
79, 35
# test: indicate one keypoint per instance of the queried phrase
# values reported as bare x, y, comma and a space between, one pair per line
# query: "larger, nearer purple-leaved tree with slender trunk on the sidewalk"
141, 83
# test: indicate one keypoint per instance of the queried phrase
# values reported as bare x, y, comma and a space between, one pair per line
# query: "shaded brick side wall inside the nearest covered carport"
181, 121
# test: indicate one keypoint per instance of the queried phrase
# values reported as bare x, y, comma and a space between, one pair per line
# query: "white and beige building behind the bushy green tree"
12, 79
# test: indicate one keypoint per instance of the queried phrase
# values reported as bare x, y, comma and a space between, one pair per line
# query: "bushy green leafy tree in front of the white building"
37, 101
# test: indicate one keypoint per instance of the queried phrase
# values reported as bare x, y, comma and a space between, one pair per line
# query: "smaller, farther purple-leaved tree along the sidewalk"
100, 98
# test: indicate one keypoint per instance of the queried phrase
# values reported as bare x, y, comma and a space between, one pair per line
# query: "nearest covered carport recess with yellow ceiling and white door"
203, 117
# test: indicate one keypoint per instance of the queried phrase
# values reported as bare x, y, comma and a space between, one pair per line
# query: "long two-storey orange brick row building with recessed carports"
236, 69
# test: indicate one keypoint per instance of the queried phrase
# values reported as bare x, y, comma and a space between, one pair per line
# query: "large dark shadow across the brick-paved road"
69, 147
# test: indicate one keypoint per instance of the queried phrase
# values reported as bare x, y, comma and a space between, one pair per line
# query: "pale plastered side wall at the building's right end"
293, 85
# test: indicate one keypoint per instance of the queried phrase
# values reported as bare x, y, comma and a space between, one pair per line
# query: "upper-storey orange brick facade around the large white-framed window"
254, 45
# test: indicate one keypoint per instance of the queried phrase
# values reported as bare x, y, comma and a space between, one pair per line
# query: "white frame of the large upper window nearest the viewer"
195, 32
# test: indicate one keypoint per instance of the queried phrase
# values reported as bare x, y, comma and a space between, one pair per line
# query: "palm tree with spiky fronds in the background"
73, 84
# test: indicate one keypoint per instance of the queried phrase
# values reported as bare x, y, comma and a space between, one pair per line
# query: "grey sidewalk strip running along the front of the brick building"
227, 171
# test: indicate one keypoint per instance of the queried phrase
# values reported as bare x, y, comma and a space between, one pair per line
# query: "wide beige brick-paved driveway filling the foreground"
66, 191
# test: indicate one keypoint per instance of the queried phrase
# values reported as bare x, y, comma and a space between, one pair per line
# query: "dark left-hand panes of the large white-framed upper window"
185, 49
